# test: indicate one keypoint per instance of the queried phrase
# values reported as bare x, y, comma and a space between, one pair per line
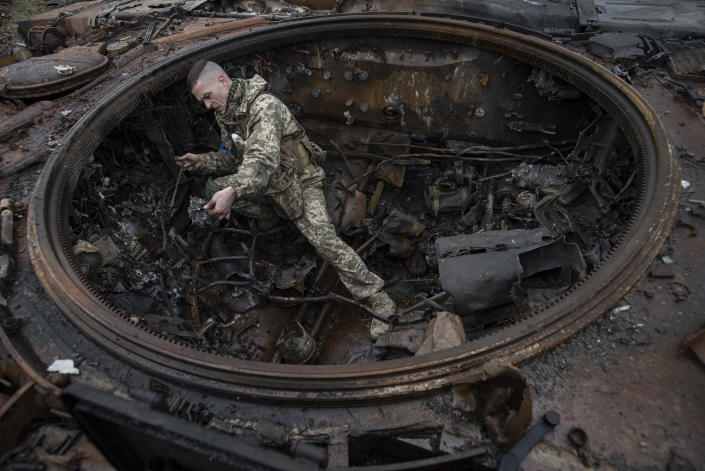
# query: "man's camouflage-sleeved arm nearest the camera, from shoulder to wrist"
261, 151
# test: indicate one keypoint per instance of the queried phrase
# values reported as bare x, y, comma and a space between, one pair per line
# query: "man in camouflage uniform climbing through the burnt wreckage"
267, 162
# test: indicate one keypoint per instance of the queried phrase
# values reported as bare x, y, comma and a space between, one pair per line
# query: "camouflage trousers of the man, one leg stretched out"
316, 226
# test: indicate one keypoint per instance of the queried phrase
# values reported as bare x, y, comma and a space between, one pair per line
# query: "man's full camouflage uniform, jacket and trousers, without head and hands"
267, 177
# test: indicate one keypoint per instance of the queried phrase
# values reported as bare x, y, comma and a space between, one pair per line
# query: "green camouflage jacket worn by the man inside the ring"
252, 164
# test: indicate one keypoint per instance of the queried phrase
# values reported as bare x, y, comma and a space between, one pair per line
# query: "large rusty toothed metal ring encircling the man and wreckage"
658, 175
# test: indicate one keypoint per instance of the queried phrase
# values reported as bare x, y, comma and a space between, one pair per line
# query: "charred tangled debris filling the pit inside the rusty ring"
490, 231
